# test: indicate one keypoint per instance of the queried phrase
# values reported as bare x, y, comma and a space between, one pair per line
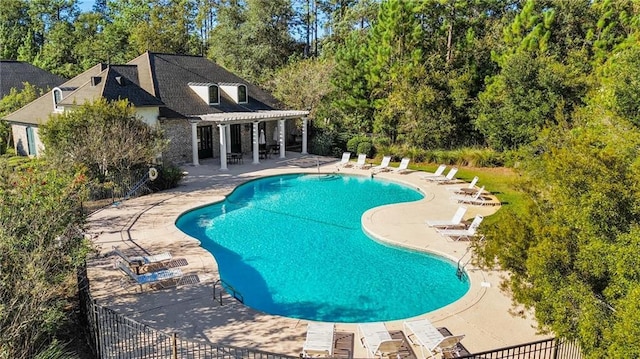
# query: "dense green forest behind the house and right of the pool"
549, 88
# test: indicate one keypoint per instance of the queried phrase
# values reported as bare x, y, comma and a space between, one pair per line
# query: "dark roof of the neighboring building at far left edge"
14, 73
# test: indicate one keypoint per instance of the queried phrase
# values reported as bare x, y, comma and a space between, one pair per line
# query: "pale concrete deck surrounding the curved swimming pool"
145, 225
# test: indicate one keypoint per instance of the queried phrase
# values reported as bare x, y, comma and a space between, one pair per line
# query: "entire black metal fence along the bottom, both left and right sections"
112, 335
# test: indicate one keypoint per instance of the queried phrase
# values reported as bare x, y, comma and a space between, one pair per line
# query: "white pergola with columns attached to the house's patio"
223, 120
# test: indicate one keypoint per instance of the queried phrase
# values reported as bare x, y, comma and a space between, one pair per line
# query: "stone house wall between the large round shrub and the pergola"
178, 132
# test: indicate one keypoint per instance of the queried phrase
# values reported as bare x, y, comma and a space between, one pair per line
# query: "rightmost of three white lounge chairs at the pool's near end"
422, 333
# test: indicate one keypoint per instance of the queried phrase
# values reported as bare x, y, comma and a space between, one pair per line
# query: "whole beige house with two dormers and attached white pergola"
196, 103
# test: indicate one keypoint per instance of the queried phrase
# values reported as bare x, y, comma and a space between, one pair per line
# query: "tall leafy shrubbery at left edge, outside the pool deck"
41, 245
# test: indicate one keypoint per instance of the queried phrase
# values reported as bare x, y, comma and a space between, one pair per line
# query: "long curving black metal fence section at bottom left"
112, 335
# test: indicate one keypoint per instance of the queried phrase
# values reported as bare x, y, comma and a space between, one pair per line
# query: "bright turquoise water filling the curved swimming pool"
293, 245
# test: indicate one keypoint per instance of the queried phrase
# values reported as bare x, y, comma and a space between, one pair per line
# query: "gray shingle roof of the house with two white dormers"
152, 79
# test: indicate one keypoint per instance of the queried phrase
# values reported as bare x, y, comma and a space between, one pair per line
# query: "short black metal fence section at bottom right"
553, 348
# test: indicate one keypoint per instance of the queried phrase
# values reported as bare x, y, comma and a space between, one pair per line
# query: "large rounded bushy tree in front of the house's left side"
106, 138
